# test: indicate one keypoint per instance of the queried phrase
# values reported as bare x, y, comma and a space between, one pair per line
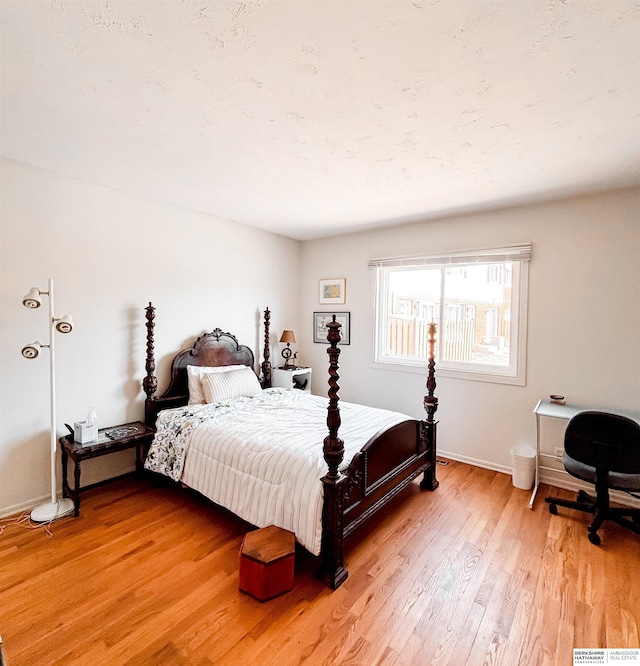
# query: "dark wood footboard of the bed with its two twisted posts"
386, 465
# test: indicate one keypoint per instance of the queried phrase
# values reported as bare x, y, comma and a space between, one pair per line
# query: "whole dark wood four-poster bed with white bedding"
313, 465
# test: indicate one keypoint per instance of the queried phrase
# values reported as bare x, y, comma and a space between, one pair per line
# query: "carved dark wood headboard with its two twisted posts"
211, 349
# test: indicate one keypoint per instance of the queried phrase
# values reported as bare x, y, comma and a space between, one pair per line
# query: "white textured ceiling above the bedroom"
316, 117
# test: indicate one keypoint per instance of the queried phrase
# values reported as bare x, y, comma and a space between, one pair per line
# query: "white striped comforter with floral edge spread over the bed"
261, 456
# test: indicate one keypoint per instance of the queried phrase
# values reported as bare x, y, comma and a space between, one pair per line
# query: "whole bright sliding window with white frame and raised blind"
478, 299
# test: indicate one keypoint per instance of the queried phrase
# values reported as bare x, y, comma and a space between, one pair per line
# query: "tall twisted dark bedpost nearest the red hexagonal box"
332, 571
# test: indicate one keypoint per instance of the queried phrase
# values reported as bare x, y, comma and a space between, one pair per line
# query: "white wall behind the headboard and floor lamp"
109, 255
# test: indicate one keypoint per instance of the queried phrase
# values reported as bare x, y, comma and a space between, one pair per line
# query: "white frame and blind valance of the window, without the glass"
515, 372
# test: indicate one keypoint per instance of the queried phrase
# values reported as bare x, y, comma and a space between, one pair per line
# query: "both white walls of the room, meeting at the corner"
110, 253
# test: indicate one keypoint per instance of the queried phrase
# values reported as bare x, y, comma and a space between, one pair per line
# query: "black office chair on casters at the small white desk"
603, 449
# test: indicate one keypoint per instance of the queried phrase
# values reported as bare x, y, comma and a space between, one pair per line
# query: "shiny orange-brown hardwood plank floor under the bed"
466, 575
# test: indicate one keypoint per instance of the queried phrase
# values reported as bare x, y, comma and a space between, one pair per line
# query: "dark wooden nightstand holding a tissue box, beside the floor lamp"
110, 440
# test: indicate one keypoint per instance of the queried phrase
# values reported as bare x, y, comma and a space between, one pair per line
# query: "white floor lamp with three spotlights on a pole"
49, 511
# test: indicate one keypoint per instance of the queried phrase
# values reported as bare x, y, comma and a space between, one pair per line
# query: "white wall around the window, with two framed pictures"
583, 328
